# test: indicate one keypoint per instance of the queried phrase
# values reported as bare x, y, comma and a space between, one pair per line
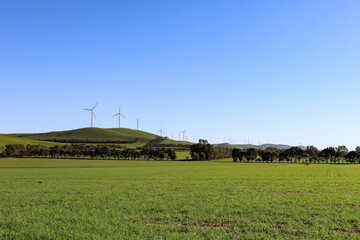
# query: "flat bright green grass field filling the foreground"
88, 199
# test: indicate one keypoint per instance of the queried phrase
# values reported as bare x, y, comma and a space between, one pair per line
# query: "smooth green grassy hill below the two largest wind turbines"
116, 135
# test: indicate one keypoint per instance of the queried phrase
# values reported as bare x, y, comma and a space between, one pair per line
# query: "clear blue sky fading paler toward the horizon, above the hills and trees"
260, 71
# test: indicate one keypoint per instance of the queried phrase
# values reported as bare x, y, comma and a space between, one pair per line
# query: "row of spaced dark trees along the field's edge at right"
311, 154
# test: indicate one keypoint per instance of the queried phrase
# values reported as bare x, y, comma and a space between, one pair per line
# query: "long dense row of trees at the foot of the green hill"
87, 151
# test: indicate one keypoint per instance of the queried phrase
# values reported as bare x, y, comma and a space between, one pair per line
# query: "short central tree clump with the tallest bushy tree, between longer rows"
205, 151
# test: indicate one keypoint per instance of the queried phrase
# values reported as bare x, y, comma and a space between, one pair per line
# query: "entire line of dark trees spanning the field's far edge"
200, 151
